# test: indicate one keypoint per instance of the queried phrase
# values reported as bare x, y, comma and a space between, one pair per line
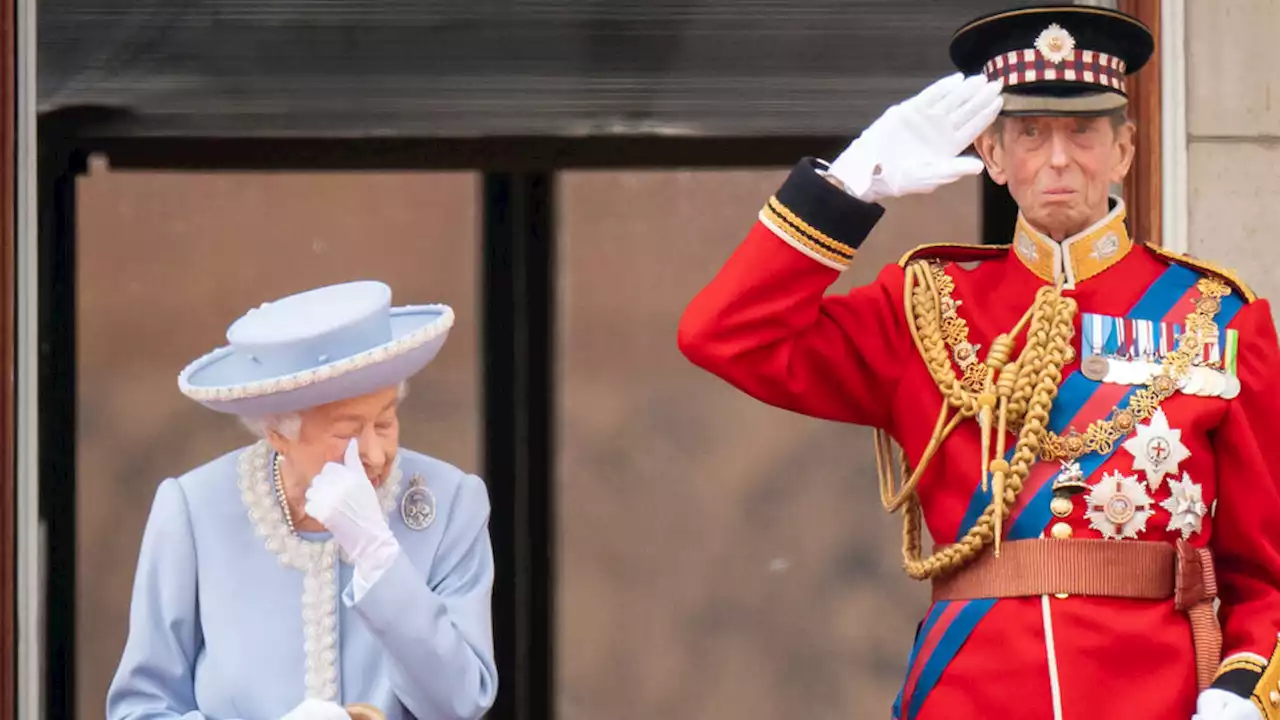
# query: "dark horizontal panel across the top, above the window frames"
459, 69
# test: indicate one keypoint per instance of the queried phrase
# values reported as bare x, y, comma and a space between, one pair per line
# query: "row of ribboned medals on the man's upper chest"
1130, 352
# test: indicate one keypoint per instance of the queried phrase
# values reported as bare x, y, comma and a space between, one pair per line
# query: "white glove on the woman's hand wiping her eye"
344, 500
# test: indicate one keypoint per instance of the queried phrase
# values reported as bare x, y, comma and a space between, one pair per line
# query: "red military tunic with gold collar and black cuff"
766, 326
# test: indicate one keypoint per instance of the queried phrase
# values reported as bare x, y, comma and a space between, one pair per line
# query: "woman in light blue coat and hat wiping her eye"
322, 573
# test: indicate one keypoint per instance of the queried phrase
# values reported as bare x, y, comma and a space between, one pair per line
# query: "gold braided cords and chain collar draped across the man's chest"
1021, 402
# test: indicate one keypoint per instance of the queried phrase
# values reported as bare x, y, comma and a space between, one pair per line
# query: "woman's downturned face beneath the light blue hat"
328, 430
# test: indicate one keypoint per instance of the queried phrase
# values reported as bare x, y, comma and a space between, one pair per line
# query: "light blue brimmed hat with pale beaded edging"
316, 348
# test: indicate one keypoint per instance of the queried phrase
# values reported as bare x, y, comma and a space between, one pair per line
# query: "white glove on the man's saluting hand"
913, 147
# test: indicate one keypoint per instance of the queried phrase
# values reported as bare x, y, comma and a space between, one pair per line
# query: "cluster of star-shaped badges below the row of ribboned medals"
1119, 505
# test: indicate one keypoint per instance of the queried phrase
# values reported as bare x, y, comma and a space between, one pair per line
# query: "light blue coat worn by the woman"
217, 622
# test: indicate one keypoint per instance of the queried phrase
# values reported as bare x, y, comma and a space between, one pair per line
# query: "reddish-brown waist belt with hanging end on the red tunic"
1139, 571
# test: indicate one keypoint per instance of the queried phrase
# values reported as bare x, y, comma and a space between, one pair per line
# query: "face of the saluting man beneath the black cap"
1059, 170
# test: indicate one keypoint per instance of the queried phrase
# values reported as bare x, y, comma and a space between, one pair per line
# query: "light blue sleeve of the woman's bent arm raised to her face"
438, 635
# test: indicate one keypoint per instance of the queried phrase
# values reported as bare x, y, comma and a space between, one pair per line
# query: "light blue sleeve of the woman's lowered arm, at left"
154, 680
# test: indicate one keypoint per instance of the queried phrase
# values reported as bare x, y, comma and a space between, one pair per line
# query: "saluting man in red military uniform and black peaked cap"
1082, 420
